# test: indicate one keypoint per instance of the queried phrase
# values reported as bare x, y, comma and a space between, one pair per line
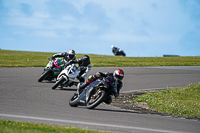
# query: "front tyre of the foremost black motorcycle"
95, 100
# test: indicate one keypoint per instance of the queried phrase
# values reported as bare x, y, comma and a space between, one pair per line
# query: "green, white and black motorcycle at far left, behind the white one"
52, 70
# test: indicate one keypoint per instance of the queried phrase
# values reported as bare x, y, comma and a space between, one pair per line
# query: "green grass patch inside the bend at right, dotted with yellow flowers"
183, 101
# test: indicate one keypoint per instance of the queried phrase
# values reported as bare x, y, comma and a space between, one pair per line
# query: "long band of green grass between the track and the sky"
40, 59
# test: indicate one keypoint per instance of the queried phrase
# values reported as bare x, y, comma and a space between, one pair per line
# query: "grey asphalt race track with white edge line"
22, 98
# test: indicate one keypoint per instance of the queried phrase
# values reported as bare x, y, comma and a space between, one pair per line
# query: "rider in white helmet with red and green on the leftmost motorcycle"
66, 56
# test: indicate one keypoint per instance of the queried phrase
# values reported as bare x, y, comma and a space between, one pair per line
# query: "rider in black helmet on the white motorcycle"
84, 65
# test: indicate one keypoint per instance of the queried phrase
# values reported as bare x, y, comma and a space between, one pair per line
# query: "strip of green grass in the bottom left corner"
7, 126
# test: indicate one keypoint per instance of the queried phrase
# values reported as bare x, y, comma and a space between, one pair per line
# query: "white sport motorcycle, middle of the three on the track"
67, 76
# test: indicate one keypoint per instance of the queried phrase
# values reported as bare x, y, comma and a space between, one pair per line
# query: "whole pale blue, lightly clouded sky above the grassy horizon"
144, 28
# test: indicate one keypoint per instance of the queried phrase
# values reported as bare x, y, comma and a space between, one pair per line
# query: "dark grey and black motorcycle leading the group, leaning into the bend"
97, 92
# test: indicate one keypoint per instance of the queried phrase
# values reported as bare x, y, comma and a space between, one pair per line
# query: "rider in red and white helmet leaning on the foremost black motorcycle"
118, 75
